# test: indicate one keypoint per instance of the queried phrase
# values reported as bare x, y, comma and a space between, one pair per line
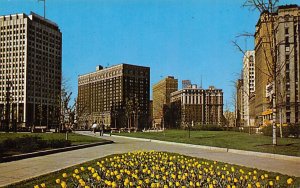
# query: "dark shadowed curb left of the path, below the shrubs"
51, 151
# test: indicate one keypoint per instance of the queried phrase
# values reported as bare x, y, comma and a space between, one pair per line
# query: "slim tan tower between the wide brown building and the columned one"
161, 97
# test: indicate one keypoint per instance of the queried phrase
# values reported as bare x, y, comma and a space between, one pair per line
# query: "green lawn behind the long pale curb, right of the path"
225, 139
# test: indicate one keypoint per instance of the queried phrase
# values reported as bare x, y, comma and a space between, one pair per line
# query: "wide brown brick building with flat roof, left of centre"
117, 96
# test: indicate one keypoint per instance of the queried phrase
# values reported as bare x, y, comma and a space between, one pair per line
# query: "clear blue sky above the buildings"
188, 39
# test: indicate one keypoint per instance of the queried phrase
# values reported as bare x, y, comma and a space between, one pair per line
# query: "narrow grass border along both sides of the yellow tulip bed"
49, 179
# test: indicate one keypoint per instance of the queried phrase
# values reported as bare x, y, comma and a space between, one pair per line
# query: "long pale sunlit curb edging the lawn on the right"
235, 151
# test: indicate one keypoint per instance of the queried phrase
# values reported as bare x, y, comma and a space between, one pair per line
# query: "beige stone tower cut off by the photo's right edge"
288, 64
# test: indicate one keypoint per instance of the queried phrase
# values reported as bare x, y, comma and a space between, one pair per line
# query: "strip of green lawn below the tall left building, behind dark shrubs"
75, 139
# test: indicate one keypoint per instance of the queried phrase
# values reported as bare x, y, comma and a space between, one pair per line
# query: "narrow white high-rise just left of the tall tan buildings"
248, 86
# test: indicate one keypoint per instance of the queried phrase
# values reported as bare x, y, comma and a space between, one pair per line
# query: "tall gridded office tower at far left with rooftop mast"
30, 70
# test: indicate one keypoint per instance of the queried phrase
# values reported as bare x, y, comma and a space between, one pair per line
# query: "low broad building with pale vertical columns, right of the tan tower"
199, 106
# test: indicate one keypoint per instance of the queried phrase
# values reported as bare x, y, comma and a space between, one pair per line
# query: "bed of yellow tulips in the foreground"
161, 169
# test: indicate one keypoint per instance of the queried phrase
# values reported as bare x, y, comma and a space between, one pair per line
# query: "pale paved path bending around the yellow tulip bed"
16, 171
